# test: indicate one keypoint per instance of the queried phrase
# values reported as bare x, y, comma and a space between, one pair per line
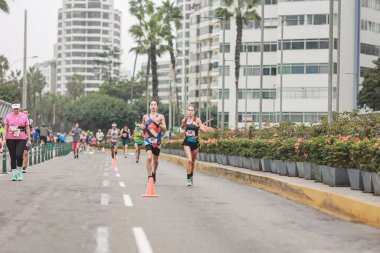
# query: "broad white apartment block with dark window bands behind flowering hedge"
305, 58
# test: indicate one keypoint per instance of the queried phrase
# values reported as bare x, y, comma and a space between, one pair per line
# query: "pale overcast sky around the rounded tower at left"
42, 31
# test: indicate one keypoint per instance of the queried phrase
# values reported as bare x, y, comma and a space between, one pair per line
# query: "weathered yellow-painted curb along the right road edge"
332, 203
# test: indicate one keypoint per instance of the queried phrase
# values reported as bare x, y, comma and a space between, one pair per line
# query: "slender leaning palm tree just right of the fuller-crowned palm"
171, 16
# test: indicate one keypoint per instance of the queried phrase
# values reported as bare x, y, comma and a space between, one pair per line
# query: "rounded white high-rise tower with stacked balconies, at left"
86, 30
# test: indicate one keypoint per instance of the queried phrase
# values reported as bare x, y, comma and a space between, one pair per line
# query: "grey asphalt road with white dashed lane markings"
84, 205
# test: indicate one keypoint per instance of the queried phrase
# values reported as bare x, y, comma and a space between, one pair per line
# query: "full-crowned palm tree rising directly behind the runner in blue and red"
148, 32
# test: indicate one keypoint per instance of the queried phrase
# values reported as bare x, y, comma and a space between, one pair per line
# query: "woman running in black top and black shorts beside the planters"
191, 125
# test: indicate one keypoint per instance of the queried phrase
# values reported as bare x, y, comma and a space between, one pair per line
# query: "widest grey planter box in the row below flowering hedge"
335, 176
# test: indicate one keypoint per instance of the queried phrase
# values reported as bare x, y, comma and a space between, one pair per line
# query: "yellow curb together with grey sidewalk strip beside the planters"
338, 201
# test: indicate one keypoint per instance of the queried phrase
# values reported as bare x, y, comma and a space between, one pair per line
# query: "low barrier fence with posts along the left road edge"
40, 153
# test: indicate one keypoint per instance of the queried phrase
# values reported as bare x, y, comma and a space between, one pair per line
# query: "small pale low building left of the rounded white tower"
49, 71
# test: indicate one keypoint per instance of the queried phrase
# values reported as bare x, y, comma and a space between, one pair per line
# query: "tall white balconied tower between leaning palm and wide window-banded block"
201, 48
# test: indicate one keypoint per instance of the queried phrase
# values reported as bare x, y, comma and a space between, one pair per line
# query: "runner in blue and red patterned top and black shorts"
153, 125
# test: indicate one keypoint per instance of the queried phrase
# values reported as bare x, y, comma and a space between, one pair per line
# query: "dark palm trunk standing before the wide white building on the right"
239, 34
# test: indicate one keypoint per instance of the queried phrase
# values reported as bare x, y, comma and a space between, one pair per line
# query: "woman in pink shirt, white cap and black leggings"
15, 134
